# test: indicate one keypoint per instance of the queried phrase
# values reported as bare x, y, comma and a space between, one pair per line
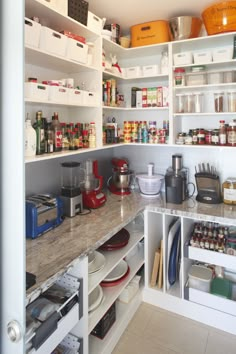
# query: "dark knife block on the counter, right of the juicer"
208, 187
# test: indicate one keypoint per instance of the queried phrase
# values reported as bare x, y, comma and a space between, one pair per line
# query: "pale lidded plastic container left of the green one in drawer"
200, 278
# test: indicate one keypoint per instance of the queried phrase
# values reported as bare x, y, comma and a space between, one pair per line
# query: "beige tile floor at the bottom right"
156, 331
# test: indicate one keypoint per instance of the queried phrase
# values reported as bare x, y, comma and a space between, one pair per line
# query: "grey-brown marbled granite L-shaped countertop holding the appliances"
51, 254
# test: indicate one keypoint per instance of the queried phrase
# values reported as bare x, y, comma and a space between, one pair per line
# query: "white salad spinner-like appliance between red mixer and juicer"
150, 184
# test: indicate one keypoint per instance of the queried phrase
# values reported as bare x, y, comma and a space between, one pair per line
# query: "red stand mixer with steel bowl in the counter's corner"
119, 183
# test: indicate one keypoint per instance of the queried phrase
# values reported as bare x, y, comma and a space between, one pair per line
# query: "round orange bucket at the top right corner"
220, 17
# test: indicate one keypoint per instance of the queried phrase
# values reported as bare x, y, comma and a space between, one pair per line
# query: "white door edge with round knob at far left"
12, 240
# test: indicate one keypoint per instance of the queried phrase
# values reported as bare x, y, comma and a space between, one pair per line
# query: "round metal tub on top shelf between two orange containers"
184, 27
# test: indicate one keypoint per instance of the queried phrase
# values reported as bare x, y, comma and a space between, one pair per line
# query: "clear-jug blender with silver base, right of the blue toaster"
70, 188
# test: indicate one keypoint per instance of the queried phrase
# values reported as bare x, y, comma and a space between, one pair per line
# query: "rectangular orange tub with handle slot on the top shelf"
149, 33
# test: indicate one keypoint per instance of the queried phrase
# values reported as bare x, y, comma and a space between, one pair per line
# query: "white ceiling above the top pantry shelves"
132, 12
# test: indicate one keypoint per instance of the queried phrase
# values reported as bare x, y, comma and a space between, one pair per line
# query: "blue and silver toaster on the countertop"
43, 212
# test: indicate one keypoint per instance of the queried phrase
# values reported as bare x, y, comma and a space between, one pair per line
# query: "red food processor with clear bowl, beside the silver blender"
93, 197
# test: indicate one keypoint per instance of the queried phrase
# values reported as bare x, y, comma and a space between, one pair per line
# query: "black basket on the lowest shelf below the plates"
103, 326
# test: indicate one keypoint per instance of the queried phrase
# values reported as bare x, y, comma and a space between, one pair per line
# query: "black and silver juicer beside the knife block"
176, 181
